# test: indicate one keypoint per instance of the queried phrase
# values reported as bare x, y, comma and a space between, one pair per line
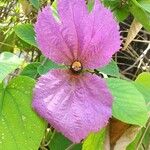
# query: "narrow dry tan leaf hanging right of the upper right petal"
133, 31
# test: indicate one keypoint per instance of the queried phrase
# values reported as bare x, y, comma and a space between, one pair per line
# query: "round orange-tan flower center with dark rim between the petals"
76, 67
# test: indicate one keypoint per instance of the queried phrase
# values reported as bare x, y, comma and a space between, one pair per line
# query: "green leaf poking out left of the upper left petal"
26, 33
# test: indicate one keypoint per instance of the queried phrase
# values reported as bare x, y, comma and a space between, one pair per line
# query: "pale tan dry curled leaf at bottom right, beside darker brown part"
127, 138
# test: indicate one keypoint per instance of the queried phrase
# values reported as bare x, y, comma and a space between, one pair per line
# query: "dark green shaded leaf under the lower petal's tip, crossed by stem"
59, 142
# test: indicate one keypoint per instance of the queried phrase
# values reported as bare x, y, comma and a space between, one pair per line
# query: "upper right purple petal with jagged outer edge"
102, 37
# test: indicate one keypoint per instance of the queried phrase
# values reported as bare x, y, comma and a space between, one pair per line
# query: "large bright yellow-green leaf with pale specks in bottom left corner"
20, 127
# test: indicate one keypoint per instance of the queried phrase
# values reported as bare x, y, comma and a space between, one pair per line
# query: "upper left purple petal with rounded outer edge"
49, 38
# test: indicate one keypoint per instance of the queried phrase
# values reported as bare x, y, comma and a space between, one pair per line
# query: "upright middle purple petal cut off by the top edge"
73, 14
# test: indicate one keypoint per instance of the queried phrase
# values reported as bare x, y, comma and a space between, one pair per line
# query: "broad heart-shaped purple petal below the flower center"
74, 106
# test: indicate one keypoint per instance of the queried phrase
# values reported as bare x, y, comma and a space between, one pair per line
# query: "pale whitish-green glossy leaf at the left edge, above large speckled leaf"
8, 63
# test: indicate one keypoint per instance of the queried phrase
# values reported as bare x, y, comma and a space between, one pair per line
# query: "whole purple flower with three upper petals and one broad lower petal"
74, 101
